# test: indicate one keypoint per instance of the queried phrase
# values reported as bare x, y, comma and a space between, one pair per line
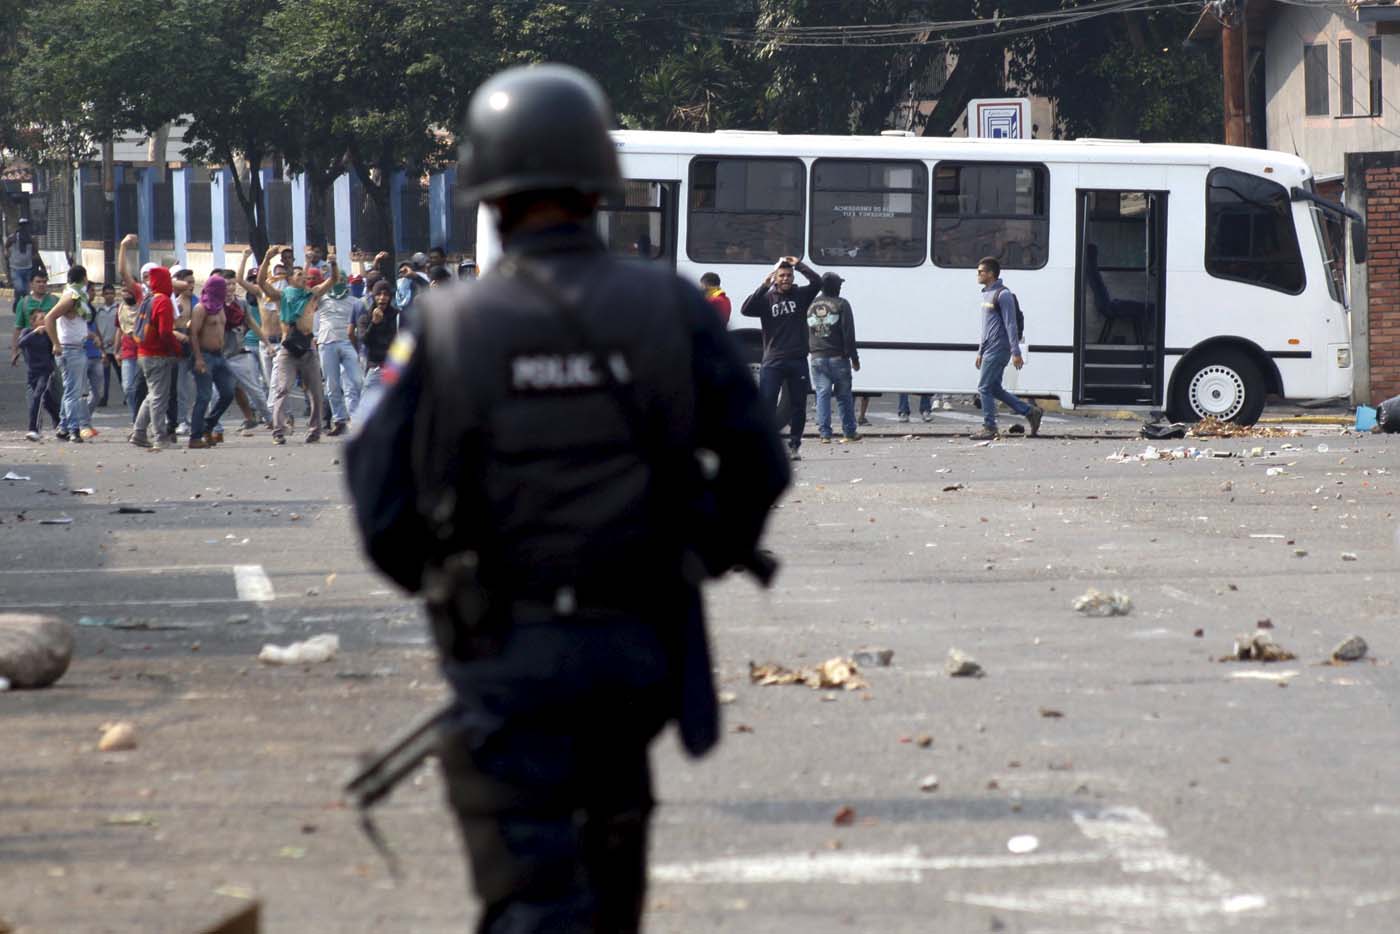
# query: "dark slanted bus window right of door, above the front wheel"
1249, 232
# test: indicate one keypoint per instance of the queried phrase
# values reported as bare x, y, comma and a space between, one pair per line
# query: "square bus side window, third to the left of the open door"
745, 211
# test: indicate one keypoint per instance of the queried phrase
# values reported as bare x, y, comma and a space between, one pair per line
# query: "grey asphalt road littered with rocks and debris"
1175, 793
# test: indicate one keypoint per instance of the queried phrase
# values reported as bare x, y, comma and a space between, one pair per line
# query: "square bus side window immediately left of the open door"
990, 211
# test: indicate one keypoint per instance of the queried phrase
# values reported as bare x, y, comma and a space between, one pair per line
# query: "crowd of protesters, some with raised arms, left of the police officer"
269, 338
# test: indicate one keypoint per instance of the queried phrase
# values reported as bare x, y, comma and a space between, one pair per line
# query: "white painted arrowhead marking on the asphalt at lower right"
1191, 900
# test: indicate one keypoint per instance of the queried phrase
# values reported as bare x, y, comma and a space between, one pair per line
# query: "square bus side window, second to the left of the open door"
870, 214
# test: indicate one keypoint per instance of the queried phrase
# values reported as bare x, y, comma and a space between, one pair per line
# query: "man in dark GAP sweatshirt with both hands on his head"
782, 312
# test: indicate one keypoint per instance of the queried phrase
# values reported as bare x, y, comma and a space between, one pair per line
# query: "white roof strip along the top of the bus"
1287, 169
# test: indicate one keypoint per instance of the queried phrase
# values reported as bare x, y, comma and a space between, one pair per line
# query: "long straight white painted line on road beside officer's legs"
852, 869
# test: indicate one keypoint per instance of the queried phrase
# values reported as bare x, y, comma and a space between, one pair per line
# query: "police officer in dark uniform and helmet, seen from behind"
565, 450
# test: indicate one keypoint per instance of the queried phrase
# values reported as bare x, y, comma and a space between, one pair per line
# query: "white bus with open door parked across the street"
1191, 278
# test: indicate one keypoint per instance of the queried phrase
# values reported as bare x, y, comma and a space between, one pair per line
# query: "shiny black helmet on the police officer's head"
538, 128
